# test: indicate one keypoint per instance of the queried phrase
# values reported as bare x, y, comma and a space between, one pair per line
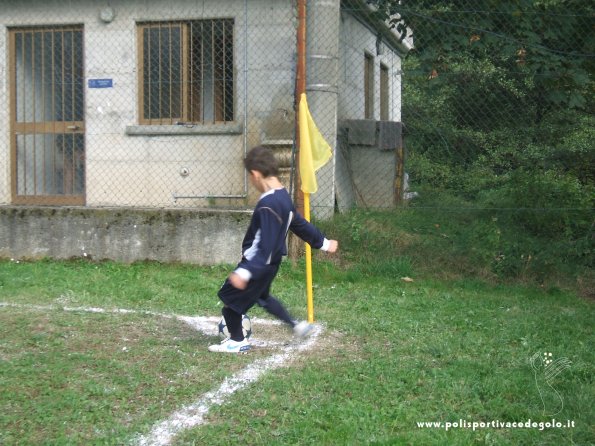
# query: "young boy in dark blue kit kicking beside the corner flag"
262, 250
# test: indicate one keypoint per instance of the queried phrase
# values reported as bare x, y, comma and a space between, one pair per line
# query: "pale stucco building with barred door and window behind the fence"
145, 103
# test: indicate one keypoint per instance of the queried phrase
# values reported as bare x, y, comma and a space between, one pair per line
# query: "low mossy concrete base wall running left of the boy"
125, 235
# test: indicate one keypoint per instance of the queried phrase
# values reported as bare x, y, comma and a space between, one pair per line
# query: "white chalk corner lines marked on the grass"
193, 415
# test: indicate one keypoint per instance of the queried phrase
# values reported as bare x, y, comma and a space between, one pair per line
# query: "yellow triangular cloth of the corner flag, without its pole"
314, 150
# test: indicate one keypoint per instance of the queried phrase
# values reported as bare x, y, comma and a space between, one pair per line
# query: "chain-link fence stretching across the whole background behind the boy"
154, 104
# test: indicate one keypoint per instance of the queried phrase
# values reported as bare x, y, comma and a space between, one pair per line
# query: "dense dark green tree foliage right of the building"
498, 106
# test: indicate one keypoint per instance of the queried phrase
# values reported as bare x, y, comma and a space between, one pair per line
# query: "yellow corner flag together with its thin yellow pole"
314, 153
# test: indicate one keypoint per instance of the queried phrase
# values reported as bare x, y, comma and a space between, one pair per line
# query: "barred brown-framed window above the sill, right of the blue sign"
187, 71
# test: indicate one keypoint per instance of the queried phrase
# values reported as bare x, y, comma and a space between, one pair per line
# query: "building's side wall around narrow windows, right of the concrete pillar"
364, 175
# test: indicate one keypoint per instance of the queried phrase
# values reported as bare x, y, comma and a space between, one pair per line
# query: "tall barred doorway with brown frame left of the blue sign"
47, 115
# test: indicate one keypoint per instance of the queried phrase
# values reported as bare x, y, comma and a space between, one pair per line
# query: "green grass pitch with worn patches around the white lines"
443, 348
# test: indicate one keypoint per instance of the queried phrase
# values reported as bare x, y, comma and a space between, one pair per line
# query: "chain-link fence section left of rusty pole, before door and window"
143, 104
